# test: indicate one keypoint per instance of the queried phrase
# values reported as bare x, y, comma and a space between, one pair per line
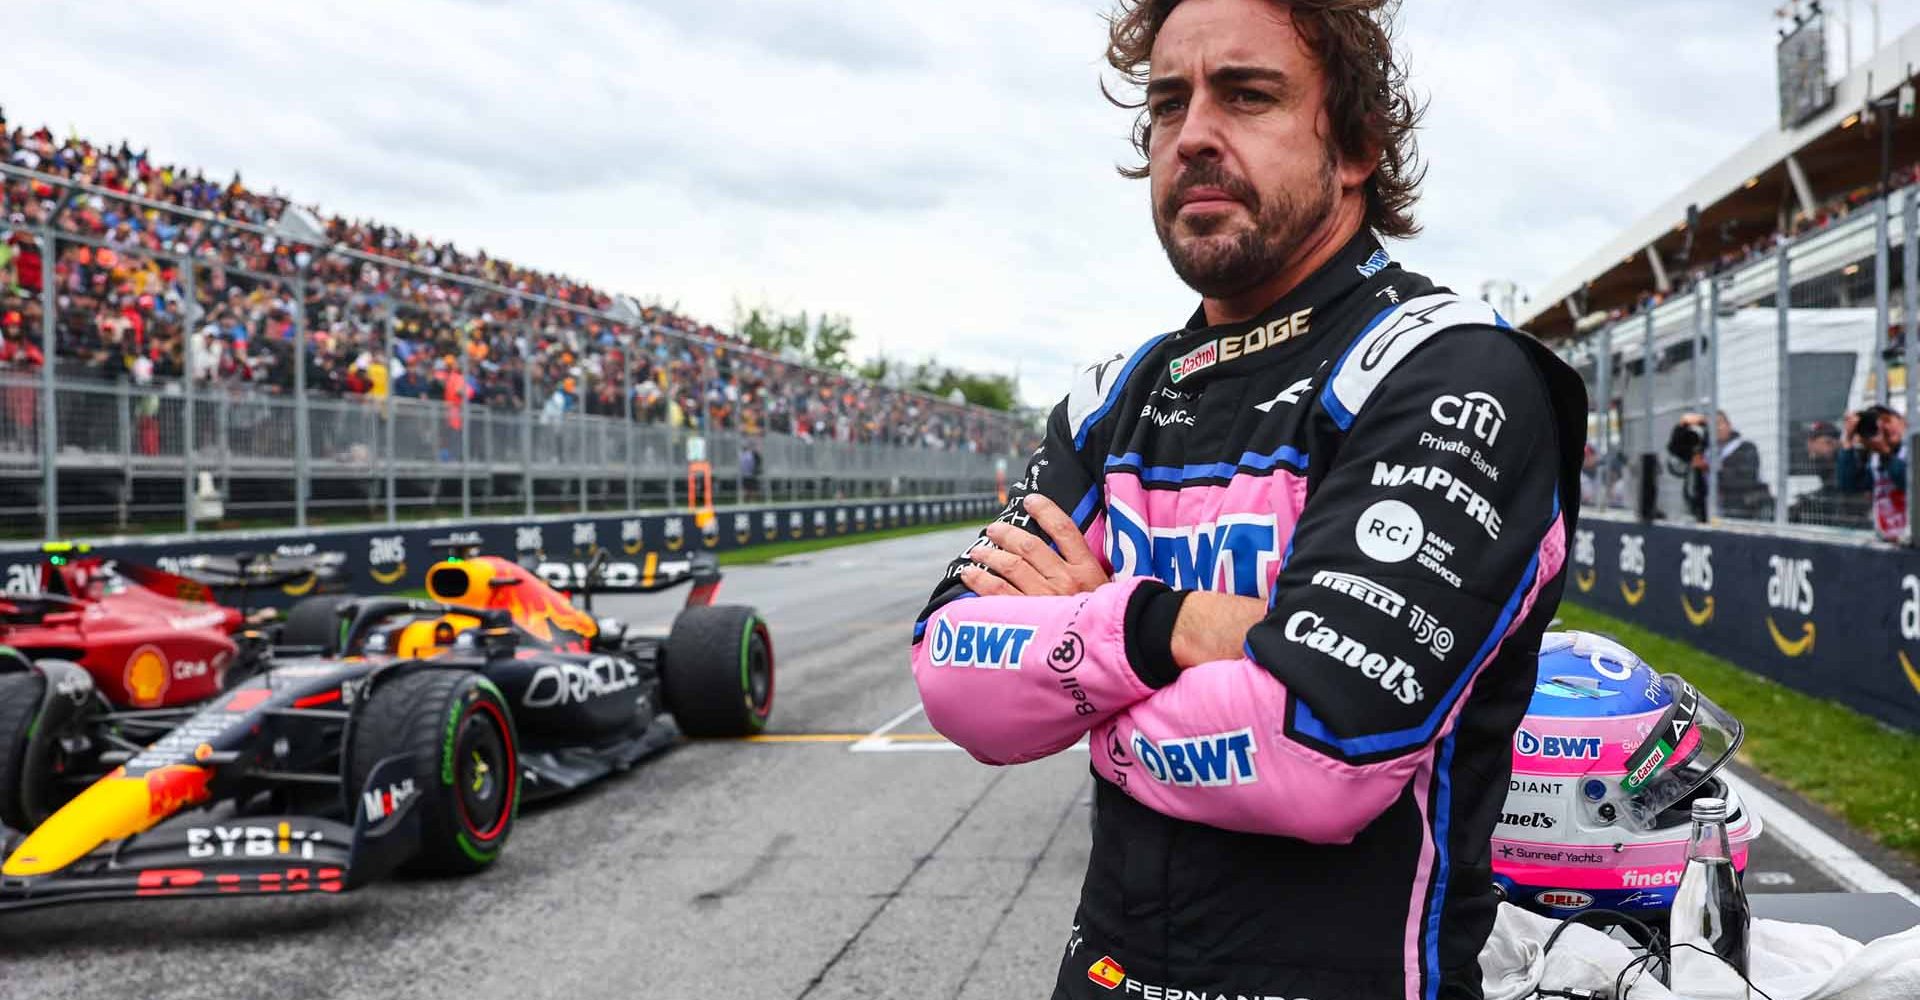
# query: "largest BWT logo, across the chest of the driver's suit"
1232, 556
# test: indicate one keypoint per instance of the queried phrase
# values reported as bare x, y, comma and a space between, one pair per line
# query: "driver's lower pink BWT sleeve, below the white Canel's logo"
1211, 750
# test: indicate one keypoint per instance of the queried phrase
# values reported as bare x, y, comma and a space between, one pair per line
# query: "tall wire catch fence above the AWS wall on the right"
1787, 345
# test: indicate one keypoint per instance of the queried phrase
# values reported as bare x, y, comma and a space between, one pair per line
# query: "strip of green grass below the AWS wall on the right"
1856, 767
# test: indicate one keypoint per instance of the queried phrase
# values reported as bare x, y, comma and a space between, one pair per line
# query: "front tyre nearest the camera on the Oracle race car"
458, 730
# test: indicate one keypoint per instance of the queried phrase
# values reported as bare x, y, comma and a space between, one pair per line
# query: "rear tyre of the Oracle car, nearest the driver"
719, 677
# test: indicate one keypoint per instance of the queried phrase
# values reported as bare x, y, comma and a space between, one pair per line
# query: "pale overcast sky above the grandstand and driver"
944, 174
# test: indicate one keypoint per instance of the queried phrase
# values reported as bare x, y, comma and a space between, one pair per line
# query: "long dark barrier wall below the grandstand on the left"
396, 558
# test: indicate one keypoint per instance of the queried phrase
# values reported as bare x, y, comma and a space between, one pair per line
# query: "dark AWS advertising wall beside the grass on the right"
1835, 621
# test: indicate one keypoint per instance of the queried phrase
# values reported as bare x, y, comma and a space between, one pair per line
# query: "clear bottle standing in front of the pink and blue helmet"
1710, 913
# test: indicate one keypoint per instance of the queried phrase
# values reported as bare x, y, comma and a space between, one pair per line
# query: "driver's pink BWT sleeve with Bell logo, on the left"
1020, 679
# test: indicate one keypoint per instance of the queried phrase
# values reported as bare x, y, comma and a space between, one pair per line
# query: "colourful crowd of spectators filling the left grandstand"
506, 337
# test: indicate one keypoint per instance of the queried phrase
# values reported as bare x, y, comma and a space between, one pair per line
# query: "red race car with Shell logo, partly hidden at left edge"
132, 648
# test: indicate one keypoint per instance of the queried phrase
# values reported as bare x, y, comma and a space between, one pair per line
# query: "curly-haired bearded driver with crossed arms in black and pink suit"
1285, 567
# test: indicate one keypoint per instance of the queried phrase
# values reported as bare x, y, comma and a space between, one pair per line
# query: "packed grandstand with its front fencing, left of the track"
206, 346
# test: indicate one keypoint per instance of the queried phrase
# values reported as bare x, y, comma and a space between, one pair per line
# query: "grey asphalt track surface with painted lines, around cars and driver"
850, 853
